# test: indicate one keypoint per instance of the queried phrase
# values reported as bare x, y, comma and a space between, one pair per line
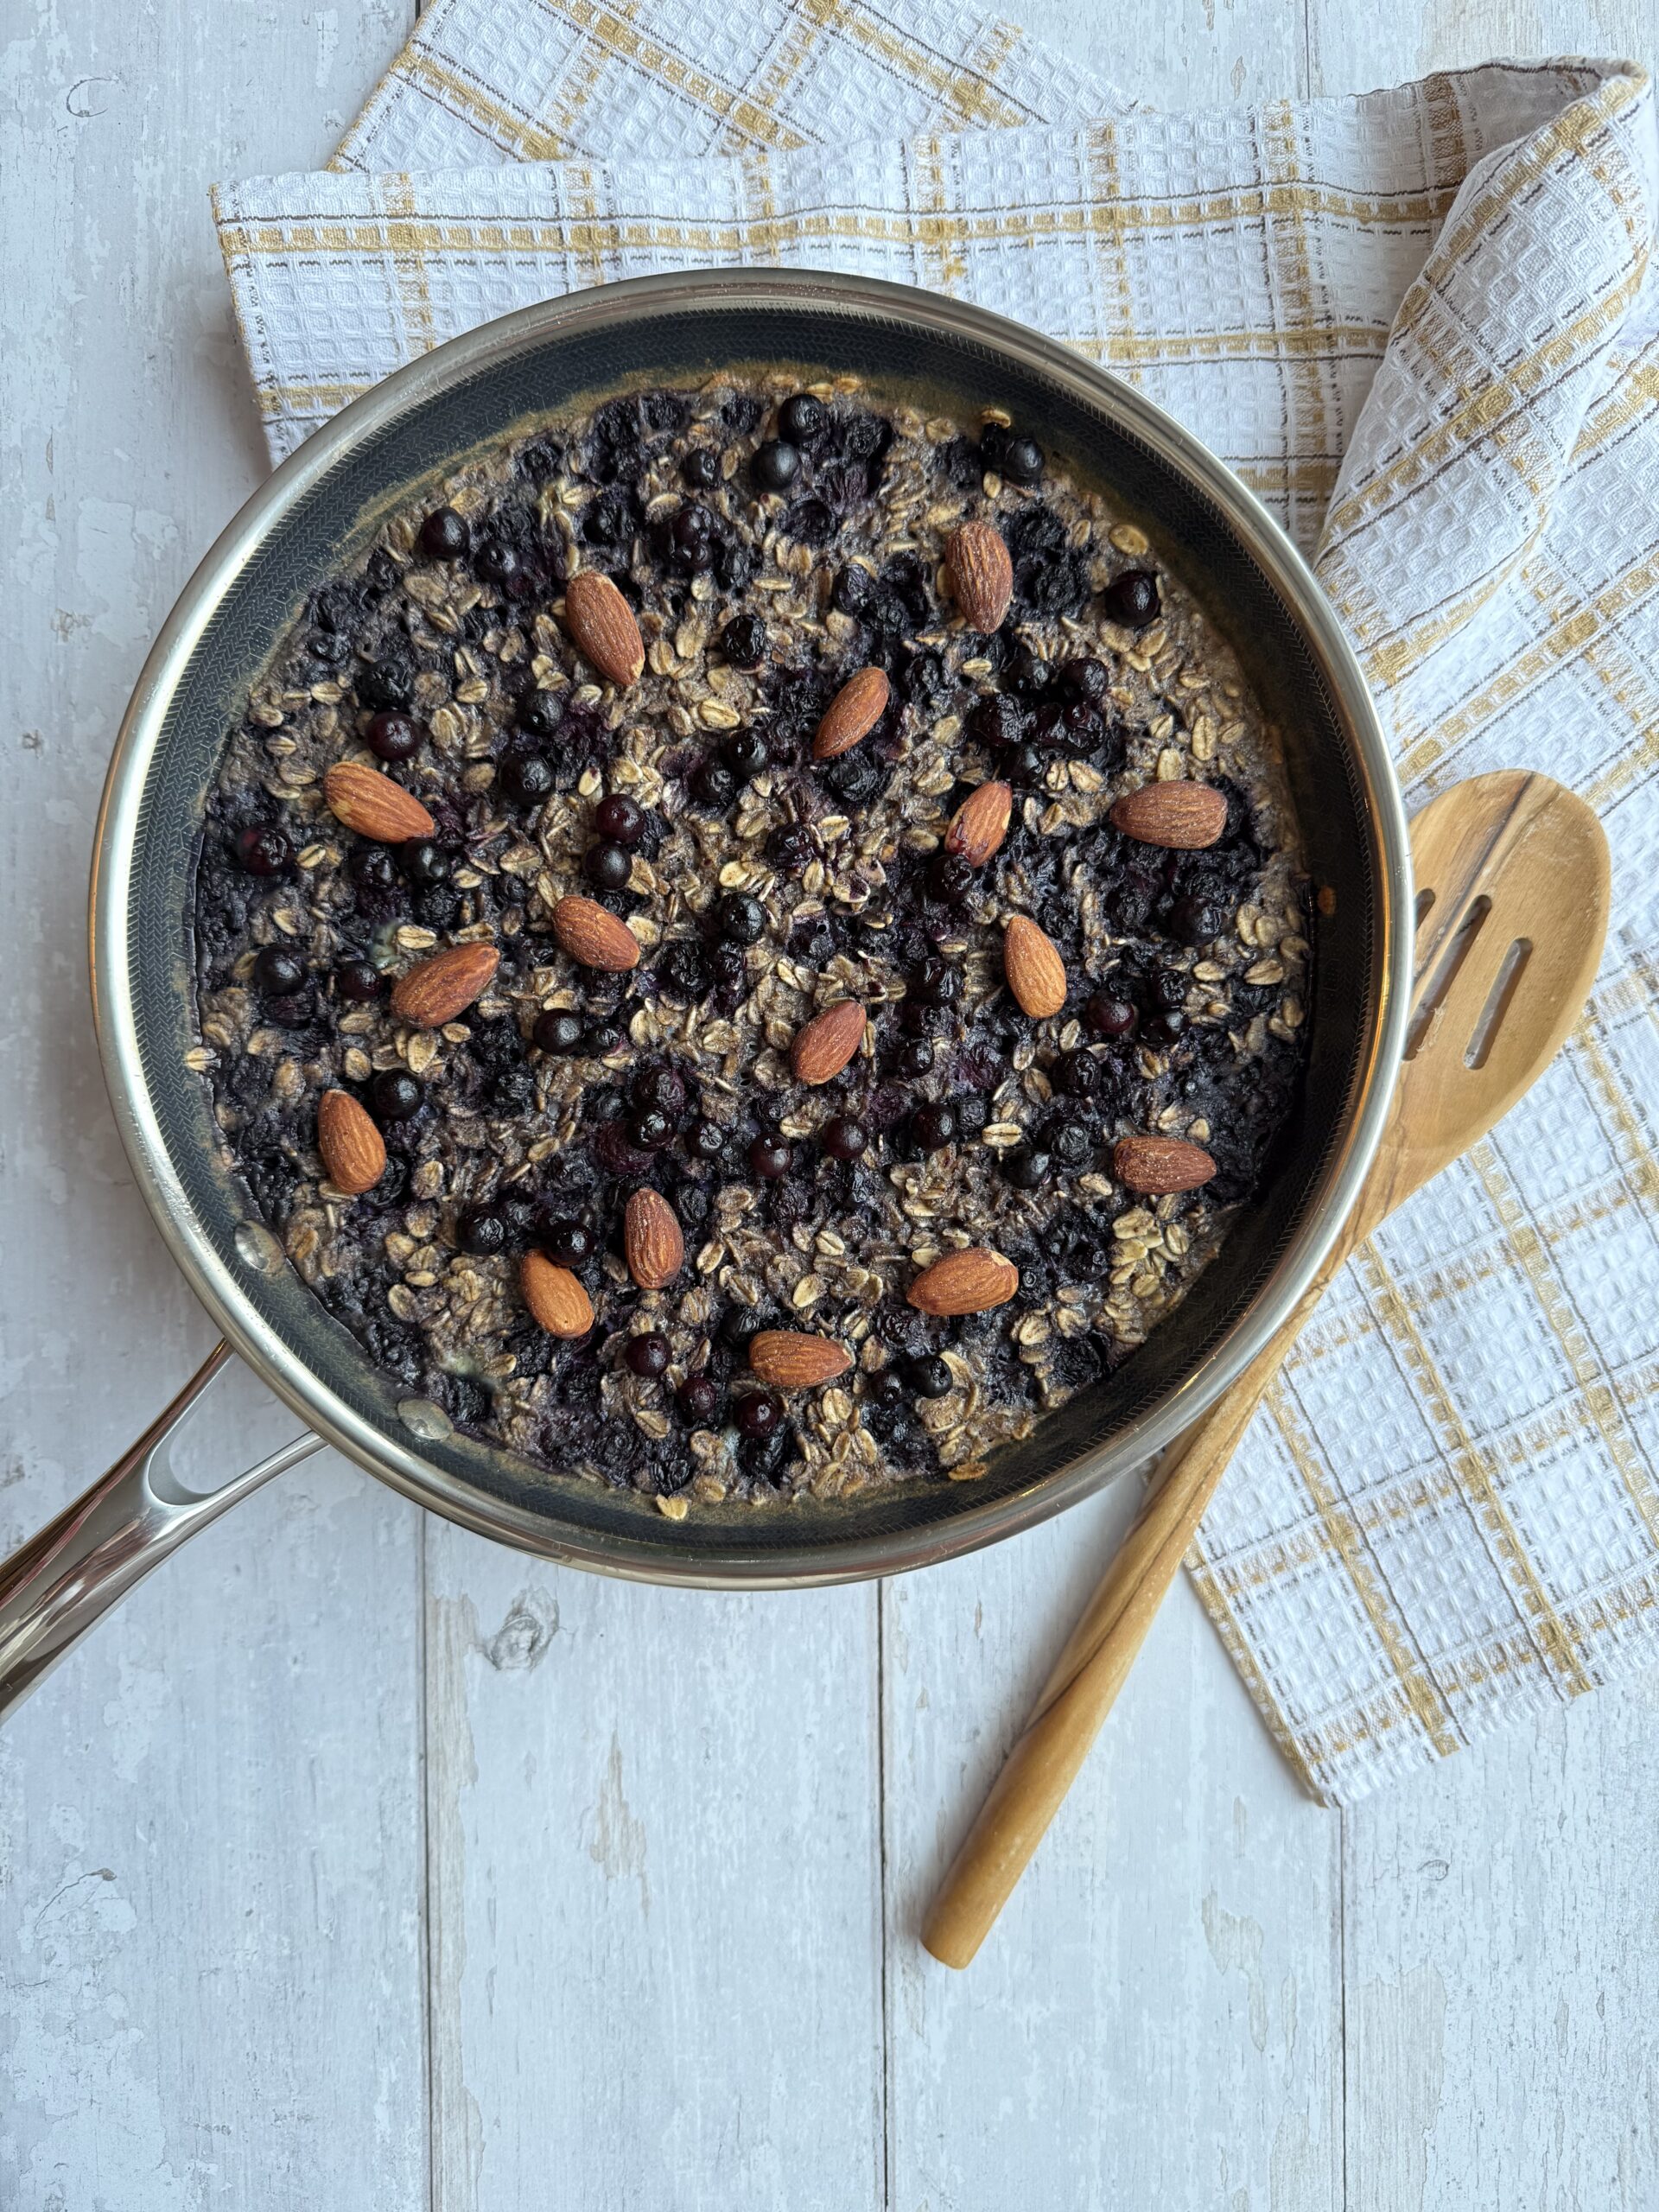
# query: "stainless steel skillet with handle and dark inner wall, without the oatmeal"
311, 519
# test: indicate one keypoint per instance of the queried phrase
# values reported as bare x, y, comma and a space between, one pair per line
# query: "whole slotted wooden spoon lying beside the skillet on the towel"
1512, 912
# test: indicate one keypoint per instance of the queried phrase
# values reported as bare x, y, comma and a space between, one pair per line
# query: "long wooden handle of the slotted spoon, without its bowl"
1103, 1647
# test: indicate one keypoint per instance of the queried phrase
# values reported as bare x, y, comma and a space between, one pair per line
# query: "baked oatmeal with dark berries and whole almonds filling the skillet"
536, 921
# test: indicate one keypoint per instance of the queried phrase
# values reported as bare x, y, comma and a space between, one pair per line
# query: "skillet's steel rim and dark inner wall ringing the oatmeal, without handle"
324, 523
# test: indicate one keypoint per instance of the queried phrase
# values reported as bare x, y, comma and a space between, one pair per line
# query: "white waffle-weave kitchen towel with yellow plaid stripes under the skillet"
1421, 326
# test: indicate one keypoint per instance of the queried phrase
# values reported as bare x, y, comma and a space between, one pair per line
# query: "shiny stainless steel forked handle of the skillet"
67, 1576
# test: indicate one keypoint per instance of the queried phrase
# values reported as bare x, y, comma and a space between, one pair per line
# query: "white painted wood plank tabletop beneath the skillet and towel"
362, 1864
